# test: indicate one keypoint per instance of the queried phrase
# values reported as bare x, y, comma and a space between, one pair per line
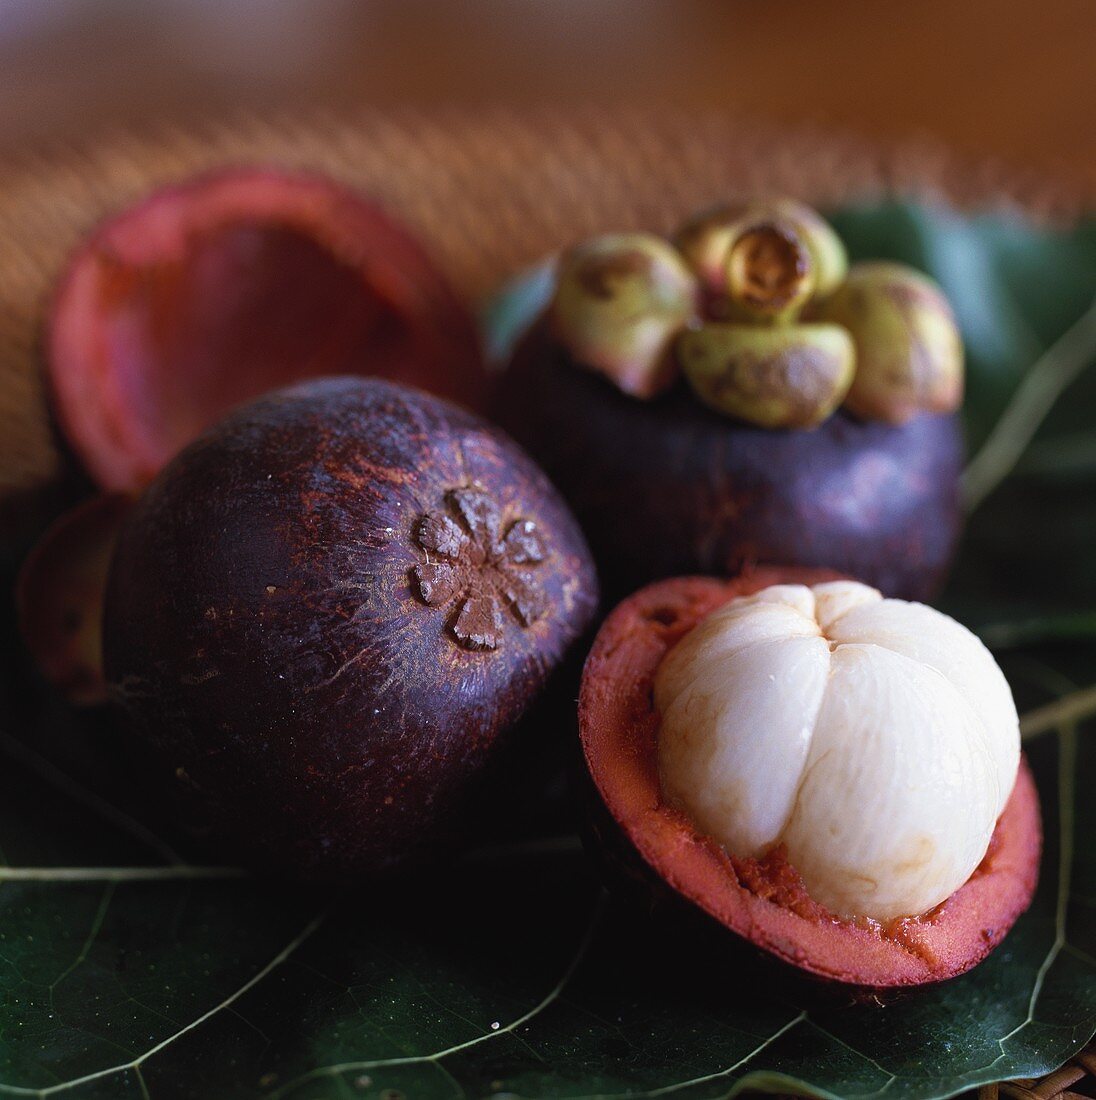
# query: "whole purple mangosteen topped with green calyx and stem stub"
740, 395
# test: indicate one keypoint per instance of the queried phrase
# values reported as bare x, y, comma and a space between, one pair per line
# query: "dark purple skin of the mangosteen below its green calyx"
668, 488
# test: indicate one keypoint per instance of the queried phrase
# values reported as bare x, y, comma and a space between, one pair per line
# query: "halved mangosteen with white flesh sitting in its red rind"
832, 776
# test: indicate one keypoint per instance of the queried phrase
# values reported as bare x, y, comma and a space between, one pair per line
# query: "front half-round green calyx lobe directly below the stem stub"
786, 377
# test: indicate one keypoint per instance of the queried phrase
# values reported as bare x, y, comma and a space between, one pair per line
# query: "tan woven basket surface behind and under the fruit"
490, 193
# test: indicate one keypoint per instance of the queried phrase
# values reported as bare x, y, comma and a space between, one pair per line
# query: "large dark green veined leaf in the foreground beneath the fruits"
508, 975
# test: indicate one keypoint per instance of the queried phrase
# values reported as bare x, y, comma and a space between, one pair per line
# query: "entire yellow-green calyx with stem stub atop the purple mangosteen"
758, 307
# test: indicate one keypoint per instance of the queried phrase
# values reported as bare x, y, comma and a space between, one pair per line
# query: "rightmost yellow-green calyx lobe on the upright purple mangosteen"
909, 355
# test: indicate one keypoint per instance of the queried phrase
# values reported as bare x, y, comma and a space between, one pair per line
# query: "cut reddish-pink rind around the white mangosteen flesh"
765, 901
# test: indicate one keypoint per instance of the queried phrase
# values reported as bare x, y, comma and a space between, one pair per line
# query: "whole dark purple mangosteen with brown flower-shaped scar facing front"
324, 642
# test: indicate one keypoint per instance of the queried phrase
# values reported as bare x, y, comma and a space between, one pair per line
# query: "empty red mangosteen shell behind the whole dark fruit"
232, 284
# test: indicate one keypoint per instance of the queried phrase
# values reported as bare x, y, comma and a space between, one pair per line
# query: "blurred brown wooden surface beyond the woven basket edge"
1001, 80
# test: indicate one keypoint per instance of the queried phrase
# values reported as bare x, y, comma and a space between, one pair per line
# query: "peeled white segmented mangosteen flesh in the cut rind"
875, 740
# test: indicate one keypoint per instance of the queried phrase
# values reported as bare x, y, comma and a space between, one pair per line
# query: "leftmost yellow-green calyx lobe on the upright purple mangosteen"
620, 303
